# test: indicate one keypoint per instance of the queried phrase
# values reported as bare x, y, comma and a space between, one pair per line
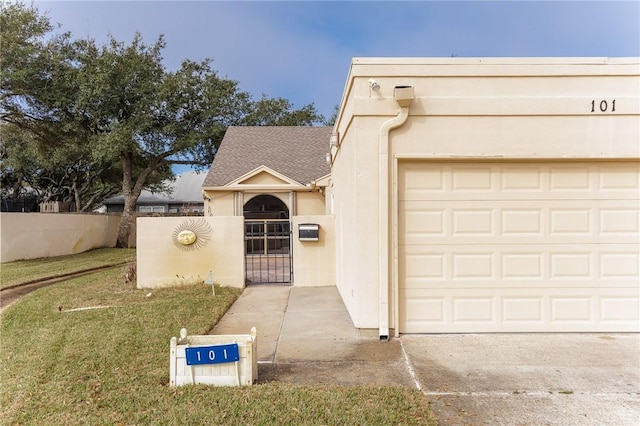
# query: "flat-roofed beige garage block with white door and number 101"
489, 195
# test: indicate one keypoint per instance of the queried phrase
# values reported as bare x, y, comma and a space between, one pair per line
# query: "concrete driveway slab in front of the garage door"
529, 379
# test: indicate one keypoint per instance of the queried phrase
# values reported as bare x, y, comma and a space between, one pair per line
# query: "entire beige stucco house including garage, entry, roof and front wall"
463, 195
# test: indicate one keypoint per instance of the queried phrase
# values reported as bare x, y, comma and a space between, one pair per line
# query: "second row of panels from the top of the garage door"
578, 221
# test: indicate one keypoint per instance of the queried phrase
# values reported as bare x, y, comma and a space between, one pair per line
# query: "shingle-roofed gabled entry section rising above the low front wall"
285, 163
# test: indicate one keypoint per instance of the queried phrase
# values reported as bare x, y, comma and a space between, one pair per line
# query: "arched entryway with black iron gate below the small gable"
267, 240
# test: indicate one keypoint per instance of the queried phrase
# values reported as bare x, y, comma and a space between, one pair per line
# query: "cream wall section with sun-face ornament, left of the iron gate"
162, 262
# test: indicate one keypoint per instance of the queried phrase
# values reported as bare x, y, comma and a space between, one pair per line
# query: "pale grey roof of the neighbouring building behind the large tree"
187, 188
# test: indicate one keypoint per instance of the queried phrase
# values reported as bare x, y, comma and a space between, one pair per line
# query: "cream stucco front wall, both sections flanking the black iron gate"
162, 263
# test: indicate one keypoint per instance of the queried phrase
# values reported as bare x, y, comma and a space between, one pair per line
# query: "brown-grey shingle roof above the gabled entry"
298, 153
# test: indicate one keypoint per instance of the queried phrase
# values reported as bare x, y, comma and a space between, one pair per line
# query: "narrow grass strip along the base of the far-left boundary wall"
22, 271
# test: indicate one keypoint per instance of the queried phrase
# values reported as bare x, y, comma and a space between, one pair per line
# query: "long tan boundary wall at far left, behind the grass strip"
36, 235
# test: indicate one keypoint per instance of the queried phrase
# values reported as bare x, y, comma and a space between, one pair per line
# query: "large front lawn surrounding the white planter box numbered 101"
110, 366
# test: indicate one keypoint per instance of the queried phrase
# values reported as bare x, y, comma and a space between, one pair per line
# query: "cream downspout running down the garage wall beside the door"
383, 217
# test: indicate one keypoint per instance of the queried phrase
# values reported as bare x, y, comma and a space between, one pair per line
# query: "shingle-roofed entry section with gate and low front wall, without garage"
264, 186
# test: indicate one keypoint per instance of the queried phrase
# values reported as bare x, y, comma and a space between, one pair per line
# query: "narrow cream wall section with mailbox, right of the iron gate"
314, 261
